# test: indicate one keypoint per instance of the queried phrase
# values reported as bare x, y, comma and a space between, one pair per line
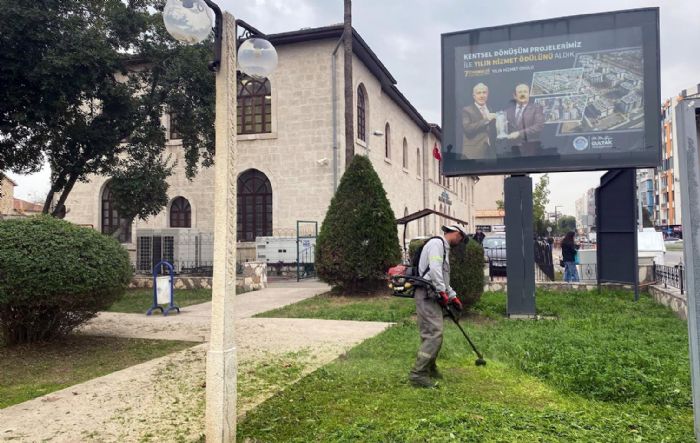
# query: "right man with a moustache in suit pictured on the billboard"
525, 122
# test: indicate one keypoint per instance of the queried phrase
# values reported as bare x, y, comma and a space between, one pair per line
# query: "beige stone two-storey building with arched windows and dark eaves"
291, 149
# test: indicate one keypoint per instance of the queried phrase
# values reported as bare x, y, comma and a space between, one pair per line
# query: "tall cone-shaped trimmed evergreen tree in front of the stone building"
358, 241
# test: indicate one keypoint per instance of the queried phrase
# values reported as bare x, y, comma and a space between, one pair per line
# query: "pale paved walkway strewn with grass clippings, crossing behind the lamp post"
163, 399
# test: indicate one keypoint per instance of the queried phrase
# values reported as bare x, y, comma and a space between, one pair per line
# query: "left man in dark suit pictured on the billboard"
479, 127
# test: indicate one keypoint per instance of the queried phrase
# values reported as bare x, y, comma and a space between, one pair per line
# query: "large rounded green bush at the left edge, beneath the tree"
54, 276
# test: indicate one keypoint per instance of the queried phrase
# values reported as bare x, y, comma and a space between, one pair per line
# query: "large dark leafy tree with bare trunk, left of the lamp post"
87, 86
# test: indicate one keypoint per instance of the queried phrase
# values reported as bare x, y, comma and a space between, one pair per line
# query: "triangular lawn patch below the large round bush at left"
30, 371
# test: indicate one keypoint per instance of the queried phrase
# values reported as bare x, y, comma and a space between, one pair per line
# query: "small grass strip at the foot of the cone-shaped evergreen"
330, 306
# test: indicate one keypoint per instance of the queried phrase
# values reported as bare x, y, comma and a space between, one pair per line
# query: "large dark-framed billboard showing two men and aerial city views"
567, 94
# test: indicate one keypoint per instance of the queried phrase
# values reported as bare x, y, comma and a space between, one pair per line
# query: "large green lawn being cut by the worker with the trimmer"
607, 369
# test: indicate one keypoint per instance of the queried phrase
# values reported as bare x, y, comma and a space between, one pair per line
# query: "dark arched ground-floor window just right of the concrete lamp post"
254, 205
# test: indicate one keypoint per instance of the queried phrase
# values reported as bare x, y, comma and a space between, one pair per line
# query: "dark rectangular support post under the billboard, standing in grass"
520, 254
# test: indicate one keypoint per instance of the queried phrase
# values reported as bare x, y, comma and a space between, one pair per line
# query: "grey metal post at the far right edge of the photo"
687, 130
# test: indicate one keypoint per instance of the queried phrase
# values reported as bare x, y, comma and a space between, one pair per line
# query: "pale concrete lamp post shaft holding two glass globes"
221, 358
